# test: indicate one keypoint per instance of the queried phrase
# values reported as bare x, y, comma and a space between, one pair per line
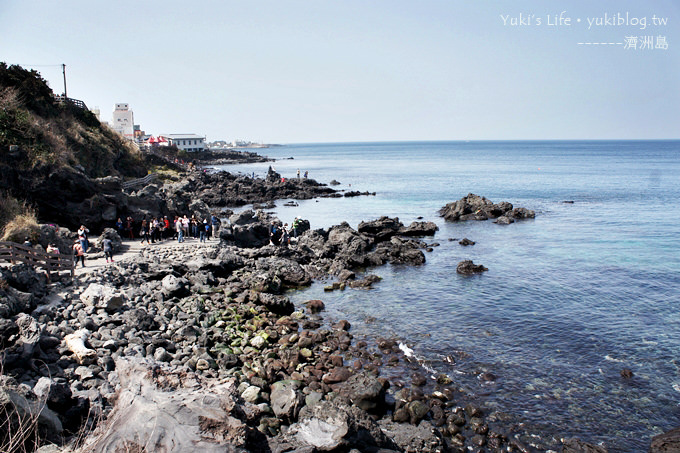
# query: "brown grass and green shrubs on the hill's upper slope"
58, 134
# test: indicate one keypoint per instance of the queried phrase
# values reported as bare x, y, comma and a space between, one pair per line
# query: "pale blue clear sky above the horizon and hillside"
284, 71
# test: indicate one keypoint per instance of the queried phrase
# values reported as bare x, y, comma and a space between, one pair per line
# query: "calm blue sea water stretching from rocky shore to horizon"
570, 299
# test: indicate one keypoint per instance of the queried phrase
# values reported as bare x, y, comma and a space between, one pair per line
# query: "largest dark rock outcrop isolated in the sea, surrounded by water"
474, 207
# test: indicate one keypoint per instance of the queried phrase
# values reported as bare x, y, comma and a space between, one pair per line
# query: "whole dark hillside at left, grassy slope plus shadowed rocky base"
51, 152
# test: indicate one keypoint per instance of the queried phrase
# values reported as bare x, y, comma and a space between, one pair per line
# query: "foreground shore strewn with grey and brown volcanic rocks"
199, 349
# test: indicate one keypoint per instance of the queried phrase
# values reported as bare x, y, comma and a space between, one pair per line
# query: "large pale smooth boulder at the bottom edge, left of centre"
167, 409
